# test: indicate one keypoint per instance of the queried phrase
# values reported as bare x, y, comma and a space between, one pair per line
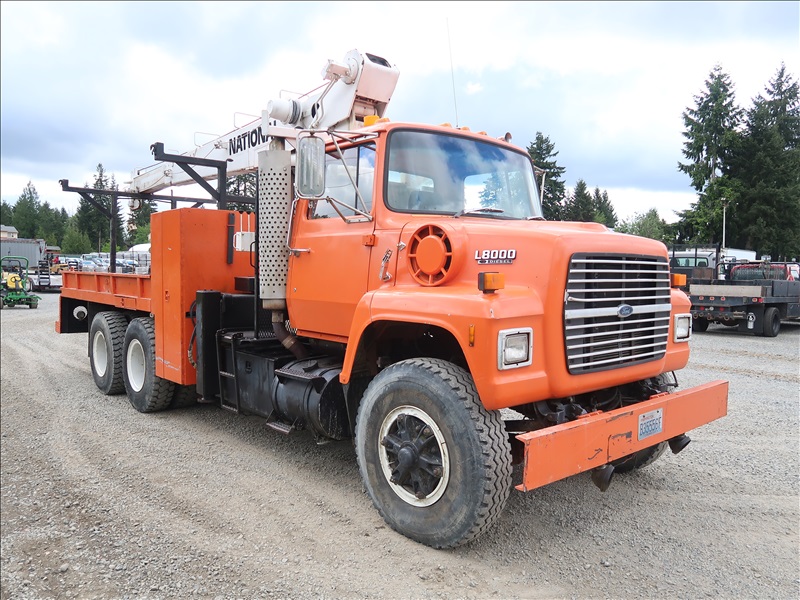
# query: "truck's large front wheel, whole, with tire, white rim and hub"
435, 462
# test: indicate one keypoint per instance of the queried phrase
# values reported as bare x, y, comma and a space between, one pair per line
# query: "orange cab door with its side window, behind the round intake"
328, 271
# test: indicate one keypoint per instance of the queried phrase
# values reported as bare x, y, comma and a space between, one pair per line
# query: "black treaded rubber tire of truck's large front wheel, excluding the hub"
476, 441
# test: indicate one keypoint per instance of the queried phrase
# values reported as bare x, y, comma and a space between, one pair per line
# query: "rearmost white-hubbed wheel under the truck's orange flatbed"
106, 339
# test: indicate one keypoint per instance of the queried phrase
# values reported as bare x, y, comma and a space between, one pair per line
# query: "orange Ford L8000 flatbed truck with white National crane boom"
397, 286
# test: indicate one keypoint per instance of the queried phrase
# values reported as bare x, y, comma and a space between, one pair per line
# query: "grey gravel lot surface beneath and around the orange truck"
99, 501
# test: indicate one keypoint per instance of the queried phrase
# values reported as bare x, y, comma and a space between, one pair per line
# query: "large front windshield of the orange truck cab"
438, 173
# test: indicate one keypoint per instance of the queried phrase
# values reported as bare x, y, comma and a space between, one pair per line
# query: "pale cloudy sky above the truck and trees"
88, 83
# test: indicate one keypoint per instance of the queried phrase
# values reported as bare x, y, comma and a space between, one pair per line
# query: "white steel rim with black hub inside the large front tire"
413, 456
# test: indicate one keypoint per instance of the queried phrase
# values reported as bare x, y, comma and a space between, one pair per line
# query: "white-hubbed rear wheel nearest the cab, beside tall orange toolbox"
146, 391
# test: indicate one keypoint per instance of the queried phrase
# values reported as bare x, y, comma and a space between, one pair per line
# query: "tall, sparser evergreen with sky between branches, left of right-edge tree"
711, 134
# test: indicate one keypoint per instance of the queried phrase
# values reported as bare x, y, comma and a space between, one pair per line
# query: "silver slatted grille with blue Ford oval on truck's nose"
601, 289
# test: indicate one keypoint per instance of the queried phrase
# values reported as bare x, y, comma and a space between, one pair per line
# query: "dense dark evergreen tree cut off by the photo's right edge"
765, 212
